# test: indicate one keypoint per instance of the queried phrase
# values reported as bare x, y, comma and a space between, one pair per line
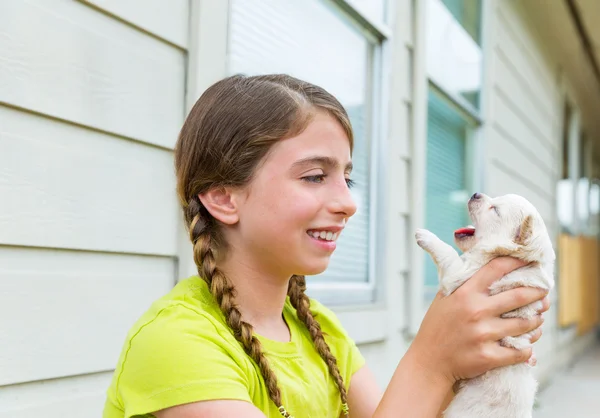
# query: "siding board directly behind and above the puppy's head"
503, 180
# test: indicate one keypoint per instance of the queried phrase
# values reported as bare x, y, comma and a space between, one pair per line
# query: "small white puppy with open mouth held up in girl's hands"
503, 226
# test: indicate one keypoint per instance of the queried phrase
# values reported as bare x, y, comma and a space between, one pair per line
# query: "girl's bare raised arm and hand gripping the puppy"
458, 339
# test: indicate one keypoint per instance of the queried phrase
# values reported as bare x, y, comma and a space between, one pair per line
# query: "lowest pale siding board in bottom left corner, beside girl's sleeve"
73, 397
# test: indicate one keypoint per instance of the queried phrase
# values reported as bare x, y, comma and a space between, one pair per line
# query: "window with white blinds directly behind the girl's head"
316, 41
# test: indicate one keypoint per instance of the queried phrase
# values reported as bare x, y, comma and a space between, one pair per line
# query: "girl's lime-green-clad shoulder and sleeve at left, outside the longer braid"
180, 351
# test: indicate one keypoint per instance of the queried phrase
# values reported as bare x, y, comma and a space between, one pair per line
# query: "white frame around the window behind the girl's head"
209, 44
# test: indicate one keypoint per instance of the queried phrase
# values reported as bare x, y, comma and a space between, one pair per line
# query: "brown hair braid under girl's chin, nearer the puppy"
301, 303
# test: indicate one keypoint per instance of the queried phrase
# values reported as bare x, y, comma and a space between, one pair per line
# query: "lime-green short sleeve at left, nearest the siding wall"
179, 357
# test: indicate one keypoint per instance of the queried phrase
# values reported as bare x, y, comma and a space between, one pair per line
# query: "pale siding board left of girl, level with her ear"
68, 187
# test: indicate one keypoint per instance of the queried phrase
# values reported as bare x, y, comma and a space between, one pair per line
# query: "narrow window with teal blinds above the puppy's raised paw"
454, 70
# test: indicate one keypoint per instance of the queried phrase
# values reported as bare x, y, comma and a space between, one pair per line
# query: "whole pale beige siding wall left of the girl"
90, 107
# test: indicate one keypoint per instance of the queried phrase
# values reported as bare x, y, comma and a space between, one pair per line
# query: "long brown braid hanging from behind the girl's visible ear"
201, 235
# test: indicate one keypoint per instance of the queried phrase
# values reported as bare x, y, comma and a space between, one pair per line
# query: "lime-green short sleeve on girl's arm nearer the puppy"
338, 339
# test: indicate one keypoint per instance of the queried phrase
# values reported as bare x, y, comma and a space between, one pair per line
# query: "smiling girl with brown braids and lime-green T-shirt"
263, 174
